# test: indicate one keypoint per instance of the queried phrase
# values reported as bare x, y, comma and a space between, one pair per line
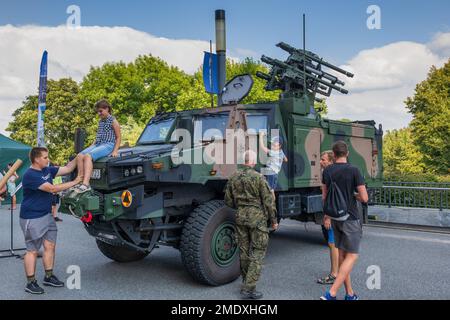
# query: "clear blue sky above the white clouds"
335, 29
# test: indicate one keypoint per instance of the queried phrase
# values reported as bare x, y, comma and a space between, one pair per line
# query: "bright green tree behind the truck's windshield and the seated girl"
138, 89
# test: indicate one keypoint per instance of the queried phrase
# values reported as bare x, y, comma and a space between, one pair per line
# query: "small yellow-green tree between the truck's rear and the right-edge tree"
400, 155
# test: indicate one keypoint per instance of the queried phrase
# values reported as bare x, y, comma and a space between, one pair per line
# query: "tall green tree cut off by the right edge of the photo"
430, 107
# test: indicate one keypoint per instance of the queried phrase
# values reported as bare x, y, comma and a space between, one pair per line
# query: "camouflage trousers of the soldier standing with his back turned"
252, 243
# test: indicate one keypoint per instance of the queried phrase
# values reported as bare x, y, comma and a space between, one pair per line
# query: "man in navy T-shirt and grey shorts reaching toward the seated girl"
36, 220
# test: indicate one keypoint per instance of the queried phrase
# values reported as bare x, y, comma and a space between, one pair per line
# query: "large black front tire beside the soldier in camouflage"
196, 243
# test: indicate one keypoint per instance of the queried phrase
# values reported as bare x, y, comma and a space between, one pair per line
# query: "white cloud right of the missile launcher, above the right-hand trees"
384, 78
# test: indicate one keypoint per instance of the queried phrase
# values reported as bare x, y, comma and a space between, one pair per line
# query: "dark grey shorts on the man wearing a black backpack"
347, 235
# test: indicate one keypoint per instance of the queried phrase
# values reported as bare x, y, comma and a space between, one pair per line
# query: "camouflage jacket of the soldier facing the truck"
248, 192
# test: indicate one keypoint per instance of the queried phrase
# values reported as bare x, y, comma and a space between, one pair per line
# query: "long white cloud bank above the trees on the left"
73, 51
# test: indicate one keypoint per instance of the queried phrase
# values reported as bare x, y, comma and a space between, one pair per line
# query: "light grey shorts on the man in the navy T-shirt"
37, 230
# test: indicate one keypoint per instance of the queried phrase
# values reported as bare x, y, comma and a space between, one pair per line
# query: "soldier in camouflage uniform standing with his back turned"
247, 192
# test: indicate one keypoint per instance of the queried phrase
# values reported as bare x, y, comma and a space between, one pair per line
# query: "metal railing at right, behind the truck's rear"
410, 196
